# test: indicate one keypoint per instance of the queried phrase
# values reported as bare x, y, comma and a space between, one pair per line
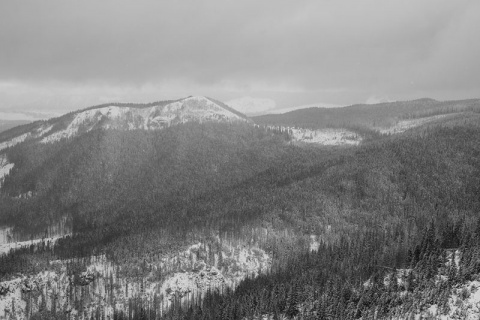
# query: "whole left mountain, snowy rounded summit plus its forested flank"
123, 146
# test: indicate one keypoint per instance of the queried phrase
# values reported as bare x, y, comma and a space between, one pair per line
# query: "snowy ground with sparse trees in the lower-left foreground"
194, 273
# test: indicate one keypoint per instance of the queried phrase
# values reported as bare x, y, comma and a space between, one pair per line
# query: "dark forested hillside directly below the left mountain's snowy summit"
102, 175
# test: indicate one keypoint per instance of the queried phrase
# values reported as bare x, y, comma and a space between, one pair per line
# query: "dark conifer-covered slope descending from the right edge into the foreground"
401, 203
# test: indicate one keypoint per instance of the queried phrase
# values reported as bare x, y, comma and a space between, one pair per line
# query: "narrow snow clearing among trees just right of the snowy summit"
327, 137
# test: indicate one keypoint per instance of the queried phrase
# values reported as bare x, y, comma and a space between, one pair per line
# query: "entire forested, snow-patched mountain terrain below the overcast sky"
188, 210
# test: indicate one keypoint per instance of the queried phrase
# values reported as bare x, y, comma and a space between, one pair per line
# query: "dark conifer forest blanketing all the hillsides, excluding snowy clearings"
395, 204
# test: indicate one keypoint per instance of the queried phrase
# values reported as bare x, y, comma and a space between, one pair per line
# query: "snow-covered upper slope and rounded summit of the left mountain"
124, 117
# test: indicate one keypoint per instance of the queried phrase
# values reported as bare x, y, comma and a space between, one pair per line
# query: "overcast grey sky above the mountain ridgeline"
257, 55
